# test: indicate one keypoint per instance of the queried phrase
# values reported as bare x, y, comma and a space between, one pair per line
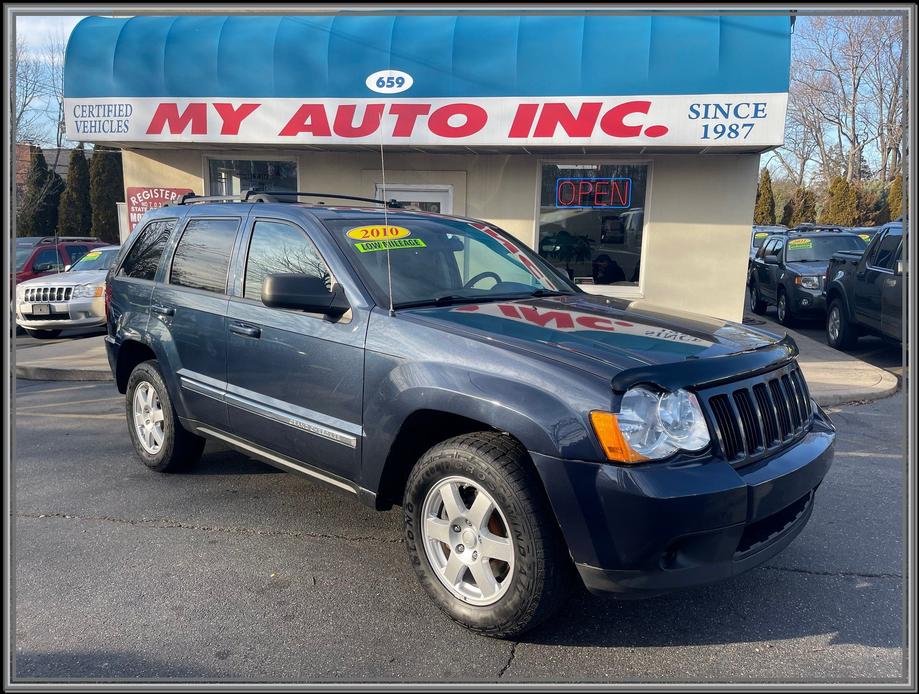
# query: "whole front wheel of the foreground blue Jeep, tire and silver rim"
481, 536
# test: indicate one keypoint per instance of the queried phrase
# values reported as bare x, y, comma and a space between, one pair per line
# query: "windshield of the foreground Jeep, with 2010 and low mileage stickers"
443, 261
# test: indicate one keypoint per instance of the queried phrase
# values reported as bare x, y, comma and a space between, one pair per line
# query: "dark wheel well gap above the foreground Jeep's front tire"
419, 431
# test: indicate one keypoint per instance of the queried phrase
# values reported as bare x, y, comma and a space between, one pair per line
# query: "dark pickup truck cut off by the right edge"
864, 290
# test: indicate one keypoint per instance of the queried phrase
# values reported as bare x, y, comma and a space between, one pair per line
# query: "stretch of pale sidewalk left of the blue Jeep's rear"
72, 360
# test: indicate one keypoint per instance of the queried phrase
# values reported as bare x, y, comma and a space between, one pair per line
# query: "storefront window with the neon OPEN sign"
591, 218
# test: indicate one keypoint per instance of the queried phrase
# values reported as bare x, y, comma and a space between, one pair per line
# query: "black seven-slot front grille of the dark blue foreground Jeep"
754, 418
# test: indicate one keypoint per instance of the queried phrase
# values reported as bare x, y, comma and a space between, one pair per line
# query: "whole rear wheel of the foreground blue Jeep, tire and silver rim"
158, 437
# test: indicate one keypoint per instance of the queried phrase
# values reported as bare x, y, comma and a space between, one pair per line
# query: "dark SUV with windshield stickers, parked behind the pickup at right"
789, 271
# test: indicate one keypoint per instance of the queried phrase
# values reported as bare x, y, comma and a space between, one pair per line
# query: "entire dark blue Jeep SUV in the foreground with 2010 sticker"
531, 432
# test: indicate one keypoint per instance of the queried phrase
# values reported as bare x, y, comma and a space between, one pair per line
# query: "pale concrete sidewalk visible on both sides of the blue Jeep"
833, 377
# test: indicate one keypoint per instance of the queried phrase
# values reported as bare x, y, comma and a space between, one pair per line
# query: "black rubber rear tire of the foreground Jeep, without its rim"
179, 448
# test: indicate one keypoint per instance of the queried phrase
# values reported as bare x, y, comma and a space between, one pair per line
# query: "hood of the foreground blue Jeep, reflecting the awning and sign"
587, 328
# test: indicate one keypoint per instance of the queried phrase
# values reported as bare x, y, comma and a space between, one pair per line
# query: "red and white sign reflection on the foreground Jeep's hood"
575, 321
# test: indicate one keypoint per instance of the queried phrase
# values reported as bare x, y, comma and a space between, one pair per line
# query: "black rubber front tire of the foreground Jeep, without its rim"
543, 572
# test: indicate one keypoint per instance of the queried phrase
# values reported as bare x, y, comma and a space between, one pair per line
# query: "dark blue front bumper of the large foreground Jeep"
650, 529
